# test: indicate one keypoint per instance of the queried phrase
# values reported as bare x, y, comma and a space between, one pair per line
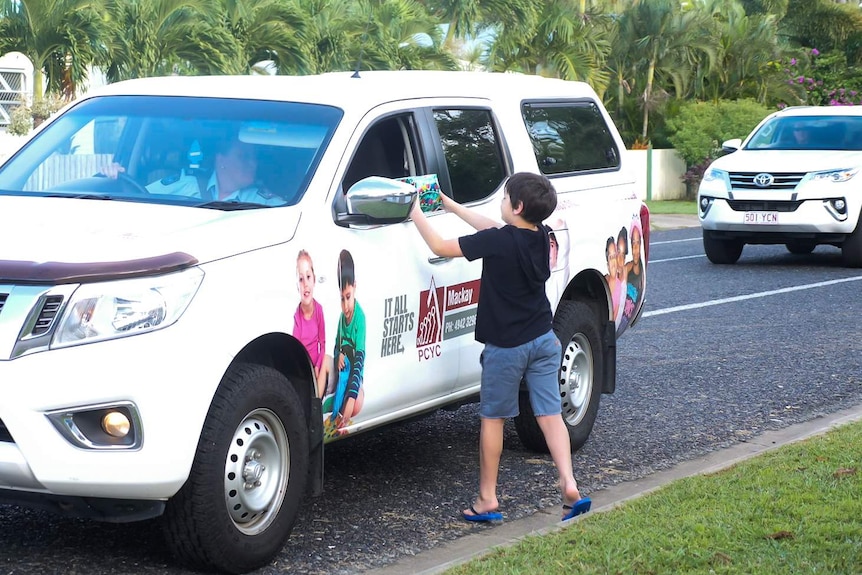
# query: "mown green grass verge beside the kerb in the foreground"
797, 509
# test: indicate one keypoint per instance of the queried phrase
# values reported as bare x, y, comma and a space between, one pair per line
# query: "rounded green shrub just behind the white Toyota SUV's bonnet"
699, 128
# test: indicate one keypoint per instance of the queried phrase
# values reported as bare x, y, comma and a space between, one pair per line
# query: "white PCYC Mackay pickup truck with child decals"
205, 280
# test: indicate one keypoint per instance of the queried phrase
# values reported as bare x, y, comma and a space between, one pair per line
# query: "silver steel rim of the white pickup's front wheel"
256, 471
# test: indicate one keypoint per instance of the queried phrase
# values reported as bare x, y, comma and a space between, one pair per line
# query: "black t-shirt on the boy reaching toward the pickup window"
513, 307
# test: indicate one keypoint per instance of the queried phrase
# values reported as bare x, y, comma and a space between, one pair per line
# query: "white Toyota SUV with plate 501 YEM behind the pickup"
794, 180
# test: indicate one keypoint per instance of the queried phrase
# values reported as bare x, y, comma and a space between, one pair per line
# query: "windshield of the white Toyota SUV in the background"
809, 133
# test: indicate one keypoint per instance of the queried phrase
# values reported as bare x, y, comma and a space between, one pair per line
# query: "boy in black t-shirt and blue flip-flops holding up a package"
514, 321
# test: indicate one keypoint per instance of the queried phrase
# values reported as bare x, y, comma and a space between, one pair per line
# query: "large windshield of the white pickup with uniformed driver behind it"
220, 153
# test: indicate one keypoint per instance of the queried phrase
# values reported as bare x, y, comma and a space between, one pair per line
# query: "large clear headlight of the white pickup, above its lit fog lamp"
121, 308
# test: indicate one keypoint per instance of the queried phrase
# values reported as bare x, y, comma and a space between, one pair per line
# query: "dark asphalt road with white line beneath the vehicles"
722, 354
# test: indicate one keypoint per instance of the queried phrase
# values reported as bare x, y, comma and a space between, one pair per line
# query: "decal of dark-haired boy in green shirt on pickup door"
341, 377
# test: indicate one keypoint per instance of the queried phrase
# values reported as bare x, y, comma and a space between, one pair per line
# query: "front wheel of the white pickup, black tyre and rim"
240, 502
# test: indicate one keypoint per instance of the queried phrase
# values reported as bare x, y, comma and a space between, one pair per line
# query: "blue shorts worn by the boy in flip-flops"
537, 362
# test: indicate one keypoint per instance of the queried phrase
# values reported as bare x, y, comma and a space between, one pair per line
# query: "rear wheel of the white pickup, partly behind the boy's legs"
577, 327
